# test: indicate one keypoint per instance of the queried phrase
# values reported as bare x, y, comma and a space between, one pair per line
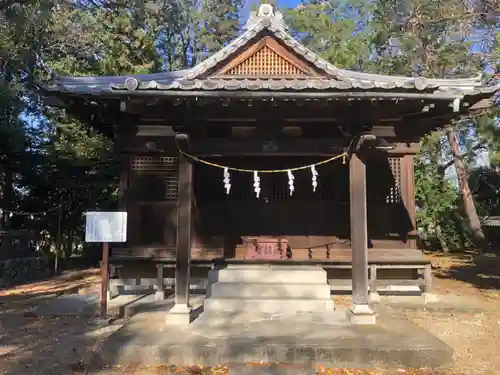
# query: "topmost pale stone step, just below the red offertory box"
275, 275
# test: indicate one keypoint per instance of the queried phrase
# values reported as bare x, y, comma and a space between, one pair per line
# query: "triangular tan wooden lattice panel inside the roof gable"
266, 62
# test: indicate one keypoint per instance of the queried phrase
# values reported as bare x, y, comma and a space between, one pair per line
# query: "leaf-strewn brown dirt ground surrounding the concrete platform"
35, 345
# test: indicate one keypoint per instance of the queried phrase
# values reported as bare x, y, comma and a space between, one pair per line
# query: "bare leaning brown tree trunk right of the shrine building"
469, 206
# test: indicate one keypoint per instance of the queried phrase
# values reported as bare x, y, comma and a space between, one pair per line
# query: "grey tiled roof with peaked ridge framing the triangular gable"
331, 82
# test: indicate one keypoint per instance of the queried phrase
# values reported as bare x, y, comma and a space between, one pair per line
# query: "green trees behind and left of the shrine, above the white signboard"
52, 158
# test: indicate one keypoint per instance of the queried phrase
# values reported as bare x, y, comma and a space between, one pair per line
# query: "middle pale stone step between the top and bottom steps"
268, 290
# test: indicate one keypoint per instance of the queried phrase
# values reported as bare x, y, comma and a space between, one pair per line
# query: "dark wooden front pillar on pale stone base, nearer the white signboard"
181, 312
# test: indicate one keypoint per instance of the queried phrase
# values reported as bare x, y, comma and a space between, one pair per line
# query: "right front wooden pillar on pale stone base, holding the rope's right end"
360, 312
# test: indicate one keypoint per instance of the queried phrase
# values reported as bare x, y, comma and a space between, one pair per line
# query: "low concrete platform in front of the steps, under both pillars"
309, 339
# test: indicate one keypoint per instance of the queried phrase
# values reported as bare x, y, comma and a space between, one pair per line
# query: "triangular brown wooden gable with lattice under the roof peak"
267, 58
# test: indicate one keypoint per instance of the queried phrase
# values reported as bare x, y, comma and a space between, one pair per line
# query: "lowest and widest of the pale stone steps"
269, 306
